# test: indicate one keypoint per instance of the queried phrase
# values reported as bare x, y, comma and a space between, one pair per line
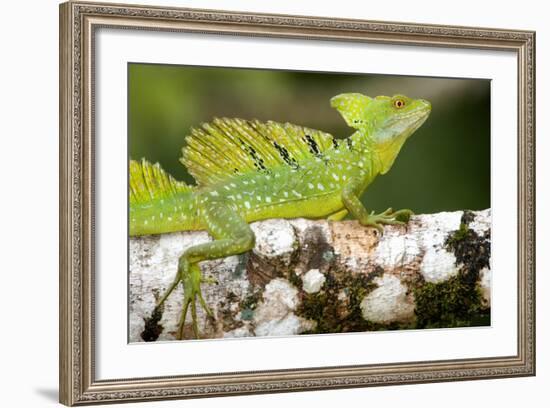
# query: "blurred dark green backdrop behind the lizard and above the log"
444, 166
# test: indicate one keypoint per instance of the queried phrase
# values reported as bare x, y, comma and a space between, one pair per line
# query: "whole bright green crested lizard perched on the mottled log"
250, 170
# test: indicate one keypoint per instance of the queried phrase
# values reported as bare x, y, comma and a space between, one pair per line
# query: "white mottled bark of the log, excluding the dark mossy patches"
255, 296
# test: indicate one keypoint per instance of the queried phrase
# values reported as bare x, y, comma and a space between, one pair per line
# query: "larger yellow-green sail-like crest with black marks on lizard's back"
227, 147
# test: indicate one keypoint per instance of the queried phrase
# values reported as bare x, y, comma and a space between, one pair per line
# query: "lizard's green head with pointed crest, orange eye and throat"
386, 122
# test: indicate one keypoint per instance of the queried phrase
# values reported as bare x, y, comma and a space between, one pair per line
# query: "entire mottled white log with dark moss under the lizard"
320, 276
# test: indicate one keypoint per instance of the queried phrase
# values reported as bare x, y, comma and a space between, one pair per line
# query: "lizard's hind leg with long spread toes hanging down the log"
232, 236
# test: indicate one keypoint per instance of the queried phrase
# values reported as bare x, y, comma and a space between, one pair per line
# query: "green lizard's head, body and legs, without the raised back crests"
327, 185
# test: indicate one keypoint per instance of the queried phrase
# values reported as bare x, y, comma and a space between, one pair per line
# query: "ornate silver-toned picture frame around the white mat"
78, 22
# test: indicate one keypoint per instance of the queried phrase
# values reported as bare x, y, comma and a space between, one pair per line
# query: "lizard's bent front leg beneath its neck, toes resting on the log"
350, 198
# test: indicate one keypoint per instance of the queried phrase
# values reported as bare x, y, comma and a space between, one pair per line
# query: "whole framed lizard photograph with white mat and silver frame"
256, 203
